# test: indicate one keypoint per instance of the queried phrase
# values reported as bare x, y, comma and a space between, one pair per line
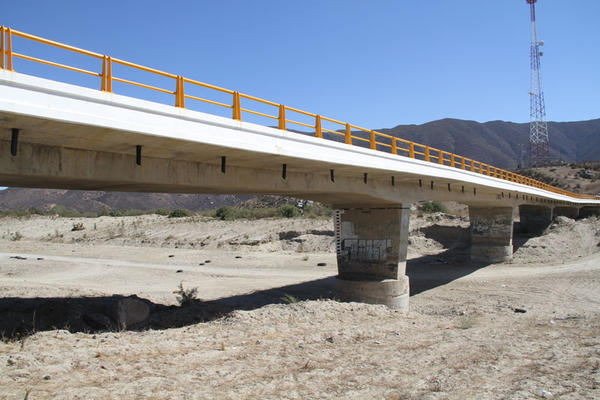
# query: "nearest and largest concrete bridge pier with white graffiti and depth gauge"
371, 253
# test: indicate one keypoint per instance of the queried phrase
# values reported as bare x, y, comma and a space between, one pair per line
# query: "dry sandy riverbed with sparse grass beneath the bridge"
521, 330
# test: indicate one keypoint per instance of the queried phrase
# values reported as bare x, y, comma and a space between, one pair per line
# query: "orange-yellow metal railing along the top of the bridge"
351, 134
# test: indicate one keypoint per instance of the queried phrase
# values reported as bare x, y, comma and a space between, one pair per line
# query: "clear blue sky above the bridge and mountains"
375, 63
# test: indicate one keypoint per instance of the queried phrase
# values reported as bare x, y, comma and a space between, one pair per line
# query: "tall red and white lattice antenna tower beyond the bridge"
539, 149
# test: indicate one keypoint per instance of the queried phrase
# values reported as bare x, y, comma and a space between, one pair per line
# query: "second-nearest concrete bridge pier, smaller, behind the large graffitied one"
491, 233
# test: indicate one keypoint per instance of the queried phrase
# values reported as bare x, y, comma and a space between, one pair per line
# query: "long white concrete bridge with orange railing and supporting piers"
59, 135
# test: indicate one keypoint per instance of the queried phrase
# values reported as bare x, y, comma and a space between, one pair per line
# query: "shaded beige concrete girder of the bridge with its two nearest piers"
372, 217
